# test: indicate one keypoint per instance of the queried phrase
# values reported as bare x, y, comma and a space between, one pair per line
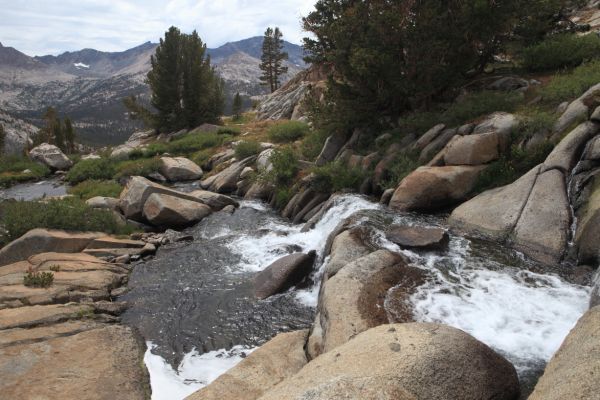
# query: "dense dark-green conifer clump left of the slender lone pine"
186, 91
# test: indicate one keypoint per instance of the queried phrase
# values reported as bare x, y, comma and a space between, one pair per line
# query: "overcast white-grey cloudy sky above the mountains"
39, 27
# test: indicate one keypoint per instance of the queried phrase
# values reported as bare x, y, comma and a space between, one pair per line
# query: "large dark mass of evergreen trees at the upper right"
390, 57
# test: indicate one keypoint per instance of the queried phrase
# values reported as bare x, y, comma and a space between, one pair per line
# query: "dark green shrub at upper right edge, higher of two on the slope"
561, 51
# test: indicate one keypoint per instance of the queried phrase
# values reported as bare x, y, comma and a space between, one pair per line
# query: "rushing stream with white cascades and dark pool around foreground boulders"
194, 303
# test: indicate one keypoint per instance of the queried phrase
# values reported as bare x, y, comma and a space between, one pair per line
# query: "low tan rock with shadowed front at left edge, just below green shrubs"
45, 241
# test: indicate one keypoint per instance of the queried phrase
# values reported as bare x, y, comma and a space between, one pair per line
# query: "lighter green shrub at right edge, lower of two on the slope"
567, 86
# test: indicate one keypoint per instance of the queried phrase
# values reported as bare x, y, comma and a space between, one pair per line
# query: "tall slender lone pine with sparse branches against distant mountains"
272, 59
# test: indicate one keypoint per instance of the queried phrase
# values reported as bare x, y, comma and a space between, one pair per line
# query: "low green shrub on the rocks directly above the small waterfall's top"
336, 176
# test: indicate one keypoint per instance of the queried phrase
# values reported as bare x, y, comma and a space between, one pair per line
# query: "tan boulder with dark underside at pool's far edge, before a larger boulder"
168, 211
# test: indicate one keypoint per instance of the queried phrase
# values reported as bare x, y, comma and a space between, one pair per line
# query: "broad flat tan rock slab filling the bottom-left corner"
99, 364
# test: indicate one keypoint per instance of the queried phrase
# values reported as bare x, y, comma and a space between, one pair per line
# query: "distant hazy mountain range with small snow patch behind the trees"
89, 85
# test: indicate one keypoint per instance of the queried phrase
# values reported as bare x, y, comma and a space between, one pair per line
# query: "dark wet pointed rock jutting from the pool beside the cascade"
283, 274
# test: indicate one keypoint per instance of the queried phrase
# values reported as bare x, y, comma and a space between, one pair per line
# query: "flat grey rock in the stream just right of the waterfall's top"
418, 237
